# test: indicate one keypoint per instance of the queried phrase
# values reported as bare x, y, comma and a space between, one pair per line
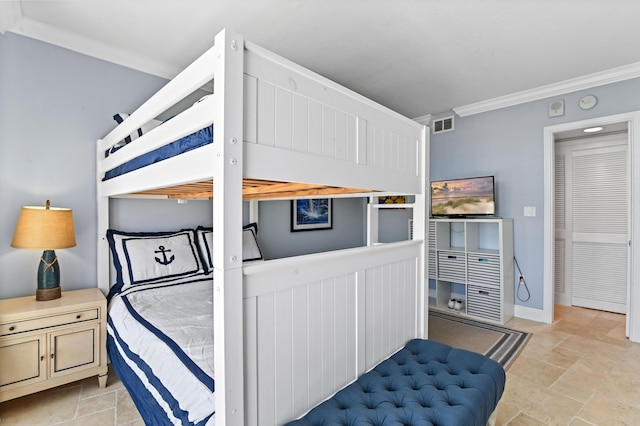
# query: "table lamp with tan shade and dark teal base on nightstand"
45, 228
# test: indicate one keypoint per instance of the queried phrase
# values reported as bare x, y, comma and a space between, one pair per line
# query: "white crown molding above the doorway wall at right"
612, 75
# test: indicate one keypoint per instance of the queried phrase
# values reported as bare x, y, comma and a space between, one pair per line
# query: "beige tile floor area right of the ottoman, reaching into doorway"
580, 370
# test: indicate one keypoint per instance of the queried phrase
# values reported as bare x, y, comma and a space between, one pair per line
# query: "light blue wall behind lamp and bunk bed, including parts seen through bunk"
54, 105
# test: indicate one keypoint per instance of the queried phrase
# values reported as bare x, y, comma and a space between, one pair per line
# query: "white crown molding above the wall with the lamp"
73, 41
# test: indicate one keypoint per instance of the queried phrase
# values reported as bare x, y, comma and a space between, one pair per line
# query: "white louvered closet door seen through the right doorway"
592, 256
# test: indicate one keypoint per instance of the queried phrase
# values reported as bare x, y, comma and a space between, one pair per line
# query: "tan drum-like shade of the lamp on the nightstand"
44, 228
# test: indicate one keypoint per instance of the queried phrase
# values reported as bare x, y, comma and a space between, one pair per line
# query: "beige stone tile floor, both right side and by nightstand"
581, 370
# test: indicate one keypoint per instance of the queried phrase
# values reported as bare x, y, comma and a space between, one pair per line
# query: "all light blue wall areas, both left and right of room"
55, 103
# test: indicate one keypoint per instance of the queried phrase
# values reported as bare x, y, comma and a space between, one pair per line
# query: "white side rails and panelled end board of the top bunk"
297, 127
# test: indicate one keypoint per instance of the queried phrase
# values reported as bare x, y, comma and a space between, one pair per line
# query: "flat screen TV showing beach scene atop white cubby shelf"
467, 197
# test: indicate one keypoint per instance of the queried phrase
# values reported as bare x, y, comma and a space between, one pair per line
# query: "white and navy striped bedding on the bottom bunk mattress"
160, 342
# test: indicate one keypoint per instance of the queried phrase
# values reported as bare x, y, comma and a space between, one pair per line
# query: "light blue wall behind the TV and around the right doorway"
508, 143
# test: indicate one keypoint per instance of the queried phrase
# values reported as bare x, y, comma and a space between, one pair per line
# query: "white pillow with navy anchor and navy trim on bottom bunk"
148, 257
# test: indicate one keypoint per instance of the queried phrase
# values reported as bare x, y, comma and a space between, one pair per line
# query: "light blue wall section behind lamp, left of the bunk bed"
54, 105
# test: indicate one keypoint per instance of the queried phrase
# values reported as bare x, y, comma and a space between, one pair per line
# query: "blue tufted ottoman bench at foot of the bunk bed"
424, 383
